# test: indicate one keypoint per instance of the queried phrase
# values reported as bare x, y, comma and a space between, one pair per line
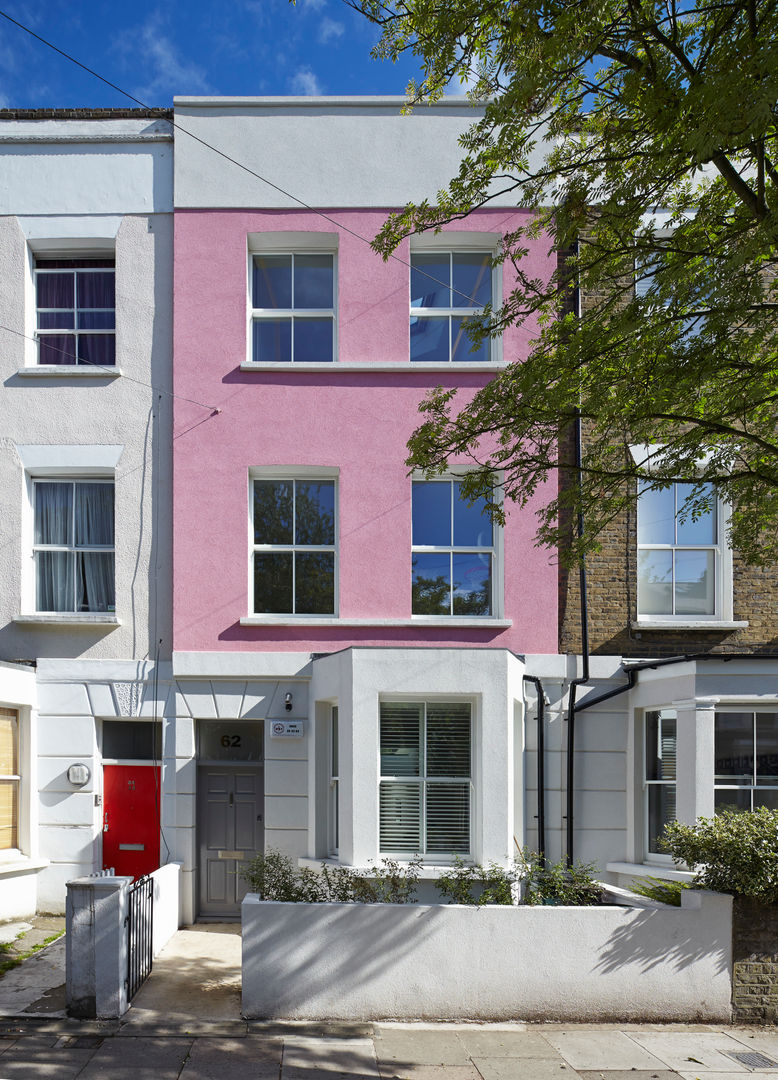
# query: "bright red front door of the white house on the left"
131, 798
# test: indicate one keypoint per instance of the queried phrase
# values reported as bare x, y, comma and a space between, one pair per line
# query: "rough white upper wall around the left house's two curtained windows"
131, 411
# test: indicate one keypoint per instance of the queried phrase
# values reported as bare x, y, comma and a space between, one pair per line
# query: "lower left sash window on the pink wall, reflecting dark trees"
294, 547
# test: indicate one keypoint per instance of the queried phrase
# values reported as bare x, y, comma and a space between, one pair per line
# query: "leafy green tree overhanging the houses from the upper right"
595, 115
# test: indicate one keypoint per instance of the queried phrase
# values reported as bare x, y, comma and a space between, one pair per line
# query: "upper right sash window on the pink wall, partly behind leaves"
448, 289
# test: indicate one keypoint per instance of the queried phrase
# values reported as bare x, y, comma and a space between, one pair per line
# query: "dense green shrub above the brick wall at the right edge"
735, 853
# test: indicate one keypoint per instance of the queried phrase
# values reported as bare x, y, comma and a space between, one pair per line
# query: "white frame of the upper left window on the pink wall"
292, 245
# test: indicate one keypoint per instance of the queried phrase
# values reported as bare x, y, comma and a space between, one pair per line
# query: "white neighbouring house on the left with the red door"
86, 310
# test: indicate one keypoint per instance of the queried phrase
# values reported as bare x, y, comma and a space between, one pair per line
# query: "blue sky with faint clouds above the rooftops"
158, 50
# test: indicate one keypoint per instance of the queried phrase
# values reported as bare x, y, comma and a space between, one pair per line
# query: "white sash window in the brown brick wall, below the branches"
679, 555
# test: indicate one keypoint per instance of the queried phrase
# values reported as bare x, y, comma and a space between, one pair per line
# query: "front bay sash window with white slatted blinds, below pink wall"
426, 779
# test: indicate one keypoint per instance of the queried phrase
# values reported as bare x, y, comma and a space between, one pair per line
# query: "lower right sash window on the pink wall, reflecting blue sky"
453, 552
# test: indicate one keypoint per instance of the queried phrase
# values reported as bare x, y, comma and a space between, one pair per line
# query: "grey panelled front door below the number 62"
231, 830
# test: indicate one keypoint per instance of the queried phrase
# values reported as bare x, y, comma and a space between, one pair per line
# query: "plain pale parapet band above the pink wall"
375, 156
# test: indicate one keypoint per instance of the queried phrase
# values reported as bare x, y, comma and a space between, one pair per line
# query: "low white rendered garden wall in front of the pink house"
371, 962
